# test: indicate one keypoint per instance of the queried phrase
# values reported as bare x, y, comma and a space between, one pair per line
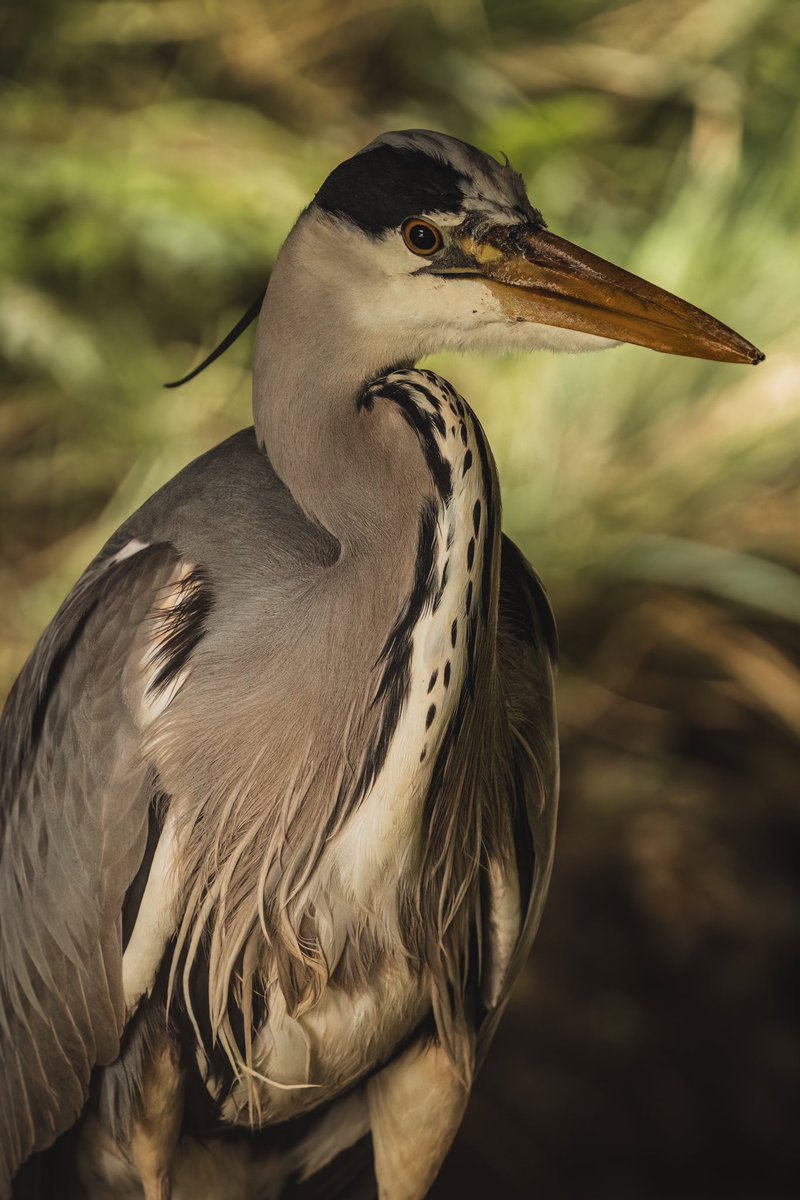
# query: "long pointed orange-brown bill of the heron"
542, 278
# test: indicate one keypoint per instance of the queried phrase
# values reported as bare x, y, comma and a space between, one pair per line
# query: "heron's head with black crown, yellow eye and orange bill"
438, 244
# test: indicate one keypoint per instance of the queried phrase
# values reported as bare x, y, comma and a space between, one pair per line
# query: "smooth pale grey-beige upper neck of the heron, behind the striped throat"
312, 361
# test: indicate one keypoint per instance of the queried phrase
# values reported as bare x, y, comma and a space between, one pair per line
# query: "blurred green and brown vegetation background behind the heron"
154, 158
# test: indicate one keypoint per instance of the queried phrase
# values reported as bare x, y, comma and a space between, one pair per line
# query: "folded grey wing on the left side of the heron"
75, 793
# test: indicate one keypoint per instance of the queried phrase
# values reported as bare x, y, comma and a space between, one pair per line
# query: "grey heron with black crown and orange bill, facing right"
280, 779
